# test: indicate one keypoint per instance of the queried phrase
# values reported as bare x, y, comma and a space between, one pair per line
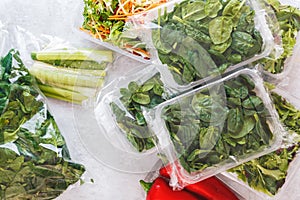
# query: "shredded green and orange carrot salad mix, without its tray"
105, 20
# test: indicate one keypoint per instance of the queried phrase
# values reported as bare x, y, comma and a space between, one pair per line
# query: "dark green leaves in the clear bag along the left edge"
34, 159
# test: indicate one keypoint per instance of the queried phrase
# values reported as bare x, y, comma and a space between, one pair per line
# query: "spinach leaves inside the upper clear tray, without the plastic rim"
202, 38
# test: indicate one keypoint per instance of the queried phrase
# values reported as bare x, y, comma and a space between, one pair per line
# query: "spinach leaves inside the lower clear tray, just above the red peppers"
208, 128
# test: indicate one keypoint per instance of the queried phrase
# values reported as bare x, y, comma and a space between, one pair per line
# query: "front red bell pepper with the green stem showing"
160, 190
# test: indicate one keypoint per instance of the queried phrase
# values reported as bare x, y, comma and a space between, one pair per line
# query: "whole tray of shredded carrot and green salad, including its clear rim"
105, 24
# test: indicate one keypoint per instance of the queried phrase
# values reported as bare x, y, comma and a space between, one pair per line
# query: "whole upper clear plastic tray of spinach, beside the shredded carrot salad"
196, 40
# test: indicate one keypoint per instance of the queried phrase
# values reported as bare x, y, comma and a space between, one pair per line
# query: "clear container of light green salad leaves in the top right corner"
286, 31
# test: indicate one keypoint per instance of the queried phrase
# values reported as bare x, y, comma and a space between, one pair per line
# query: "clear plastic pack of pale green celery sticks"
69, 72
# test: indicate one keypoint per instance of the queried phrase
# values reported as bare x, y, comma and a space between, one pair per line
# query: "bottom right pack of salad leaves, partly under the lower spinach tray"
267, 177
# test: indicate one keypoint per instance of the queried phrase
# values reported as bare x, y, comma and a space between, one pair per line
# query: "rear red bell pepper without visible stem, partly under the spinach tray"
211, 188
